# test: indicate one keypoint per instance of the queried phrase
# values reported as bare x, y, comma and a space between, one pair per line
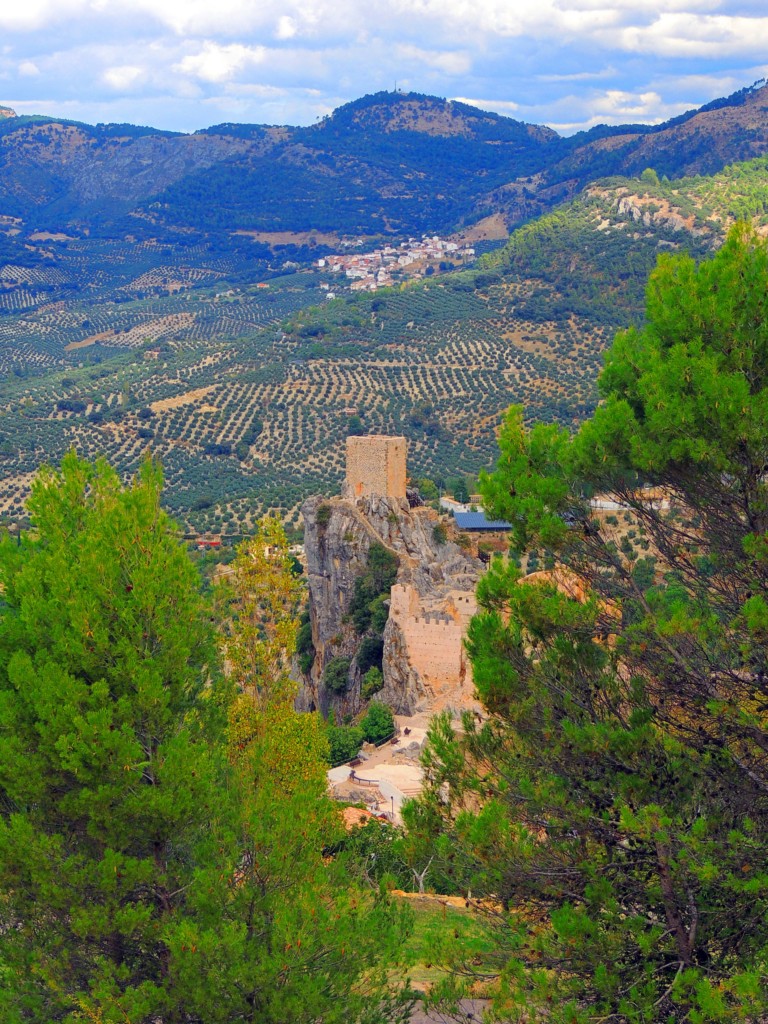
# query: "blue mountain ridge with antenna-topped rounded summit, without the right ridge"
390, 163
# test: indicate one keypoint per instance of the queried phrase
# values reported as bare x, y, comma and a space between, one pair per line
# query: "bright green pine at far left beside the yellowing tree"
107, 774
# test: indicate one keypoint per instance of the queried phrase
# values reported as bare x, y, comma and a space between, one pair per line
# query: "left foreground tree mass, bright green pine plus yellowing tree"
163, 828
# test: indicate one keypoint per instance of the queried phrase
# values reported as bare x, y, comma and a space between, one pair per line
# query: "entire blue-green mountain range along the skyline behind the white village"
390, 163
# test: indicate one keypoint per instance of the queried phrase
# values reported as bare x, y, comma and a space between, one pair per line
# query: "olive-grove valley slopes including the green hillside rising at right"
244, 380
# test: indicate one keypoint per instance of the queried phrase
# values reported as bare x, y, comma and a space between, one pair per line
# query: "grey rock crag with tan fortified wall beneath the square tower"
424, 664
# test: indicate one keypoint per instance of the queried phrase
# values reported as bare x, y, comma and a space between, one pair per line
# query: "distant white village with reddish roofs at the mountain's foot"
368, 272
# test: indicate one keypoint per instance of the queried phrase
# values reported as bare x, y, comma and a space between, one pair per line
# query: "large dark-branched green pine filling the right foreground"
623, 771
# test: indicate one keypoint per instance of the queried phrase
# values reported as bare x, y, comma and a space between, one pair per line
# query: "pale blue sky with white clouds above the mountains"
185, 65
